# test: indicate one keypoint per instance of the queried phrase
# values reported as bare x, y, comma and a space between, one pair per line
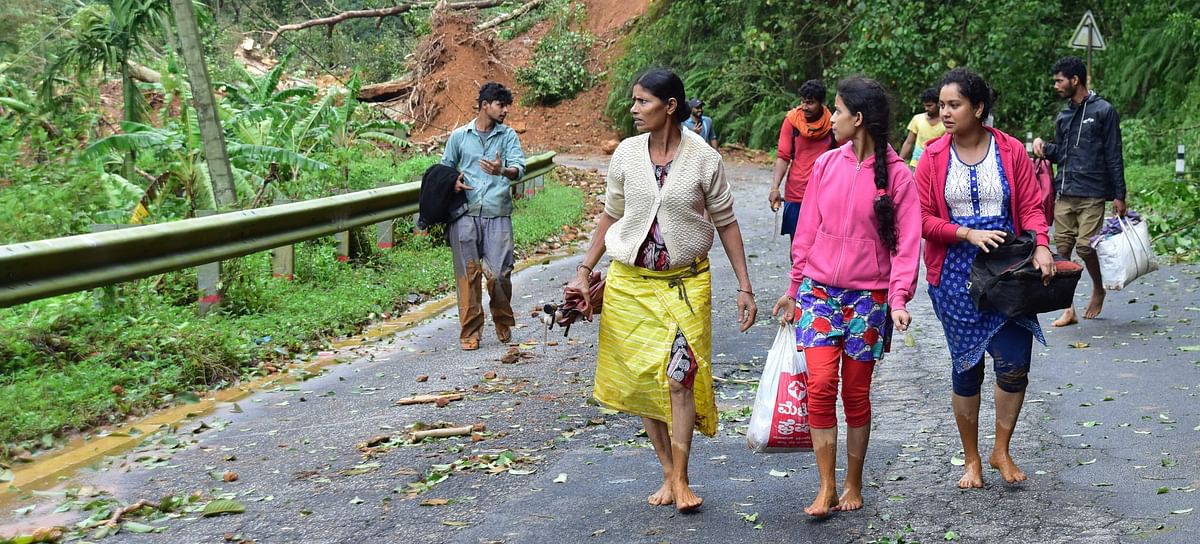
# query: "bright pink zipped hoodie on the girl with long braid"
837, 238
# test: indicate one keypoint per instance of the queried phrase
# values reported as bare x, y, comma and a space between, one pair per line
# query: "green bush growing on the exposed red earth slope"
559, 69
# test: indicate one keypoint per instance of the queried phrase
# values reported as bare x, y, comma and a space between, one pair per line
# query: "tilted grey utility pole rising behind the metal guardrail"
193, 51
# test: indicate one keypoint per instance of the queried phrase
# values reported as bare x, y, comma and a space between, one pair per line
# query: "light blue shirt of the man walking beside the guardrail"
490, 195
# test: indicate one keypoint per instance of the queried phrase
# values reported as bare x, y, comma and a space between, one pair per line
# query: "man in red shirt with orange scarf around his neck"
803, 138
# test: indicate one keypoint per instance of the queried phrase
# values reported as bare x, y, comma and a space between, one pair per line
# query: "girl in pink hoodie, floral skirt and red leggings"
855, 260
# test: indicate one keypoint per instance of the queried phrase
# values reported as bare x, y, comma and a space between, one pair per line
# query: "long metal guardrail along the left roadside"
46, 268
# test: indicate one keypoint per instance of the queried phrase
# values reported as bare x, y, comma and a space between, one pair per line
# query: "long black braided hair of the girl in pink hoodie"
868, 98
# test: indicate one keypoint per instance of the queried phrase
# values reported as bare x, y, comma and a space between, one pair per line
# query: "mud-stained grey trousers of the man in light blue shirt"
483, 250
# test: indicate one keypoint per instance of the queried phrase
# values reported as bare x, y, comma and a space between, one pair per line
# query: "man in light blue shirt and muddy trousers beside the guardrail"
488, 156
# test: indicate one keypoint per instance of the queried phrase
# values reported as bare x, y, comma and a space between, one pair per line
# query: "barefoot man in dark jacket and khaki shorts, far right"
1091, 172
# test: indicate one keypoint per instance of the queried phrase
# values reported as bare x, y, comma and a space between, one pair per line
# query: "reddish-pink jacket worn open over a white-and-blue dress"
1028, 198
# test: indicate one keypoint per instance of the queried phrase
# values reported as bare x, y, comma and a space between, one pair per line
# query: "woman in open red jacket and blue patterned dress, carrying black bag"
977, 184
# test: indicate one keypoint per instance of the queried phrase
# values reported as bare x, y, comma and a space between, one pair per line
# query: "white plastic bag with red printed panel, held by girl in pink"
779, 422
